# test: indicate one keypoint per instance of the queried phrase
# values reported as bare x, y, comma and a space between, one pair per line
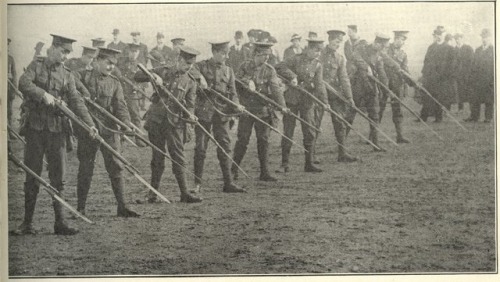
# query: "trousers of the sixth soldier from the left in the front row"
306, 112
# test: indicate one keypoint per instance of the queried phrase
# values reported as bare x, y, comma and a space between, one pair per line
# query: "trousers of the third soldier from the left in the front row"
171, 136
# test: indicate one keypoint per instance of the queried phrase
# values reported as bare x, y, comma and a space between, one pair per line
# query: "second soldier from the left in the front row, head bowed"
106, 90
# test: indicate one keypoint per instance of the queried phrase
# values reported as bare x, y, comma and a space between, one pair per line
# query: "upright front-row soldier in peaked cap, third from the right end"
335, 74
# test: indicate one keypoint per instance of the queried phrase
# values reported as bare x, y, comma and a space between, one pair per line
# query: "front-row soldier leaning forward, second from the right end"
367, 61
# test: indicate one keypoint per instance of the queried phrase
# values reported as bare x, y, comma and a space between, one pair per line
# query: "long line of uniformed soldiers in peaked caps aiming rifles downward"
206, 95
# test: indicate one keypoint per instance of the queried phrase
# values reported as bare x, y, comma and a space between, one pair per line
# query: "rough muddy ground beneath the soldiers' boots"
424, 207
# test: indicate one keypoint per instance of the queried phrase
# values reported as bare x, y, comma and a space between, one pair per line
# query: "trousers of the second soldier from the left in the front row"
86, 152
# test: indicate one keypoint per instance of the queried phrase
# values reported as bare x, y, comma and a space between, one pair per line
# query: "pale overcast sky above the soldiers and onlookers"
200, 23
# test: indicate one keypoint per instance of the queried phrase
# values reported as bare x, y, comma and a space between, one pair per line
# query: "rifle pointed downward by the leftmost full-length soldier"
126, 163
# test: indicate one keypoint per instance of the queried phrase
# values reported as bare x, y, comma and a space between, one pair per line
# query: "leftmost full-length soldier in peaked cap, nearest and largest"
45, 80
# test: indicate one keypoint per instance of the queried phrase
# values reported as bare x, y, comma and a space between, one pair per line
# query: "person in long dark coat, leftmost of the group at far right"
436, 74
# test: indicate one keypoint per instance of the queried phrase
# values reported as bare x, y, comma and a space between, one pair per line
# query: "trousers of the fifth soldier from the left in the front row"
245, 126
